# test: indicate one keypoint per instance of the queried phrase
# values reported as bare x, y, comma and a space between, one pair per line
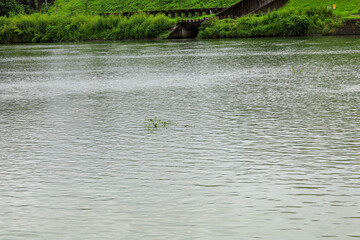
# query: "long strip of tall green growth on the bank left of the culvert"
56, 28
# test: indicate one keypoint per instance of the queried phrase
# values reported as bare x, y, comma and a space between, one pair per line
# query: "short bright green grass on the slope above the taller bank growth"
343, 7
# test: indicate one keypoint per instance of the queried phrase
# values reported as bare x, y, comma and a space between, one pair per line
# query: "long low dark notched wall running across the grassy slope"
184, 13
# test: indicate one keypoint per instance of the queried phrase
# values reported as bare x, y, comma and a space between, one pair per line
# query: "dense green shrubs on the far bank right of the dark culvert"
289, 23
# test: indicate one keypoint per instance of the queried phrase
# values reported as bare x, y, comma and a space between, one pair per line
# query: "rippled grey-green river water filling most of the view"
263, 140
